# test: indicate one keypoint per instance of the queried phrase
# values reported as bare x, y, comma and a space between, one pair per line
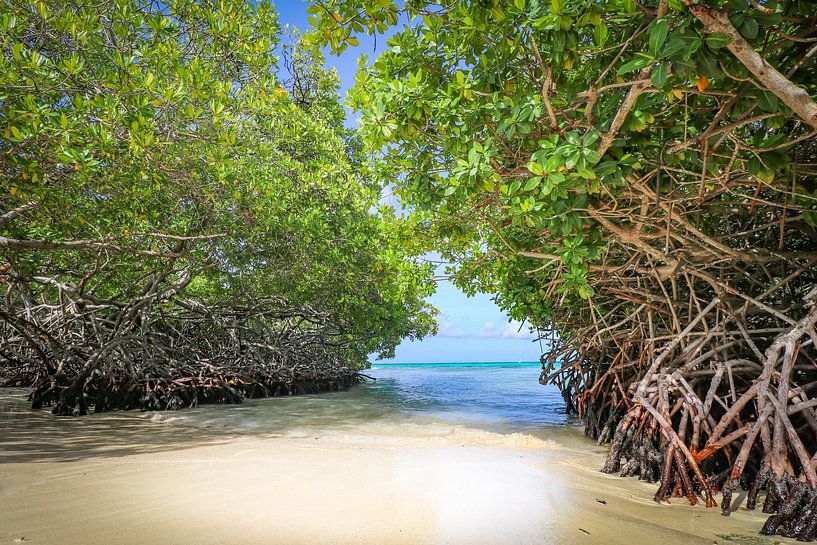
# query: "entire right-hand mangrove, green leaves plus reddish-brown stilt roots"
639, 179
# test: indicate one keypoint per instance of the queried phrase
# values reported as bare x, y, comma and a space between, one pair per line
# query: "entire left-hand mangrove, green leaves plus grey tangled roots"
178, 191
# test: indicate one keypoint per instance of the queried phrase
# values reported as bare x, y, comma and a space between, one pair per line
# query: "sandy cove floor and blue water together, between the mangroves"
405, 459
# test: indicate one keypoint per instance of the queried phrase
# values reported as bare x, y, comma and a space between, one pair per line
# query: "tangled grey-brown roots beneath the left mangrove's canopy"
157, 352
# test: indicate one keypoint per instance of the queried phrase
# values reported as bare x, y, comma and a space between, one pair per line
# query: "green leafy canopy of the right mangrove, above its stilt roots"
514, 130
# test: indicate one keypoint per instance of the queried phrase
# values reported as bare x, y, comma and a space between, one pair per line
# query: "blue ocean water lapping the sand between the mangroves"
420, 399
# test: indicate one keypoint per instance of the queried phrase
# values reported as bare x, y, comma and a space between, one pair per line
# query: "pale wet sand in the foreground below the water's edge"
127, 478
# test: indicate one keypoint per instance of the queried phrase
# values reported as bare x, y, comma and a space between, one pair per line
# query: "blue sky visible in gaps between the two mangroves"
471, 328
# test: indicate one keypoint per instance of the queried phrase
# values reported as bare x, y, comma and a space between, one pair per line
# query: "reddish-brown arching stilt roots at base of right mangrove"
701, 418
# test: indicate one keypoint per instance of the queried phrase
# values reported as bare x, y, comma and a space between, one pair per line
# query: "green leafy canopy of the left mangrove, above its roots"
139, 138
